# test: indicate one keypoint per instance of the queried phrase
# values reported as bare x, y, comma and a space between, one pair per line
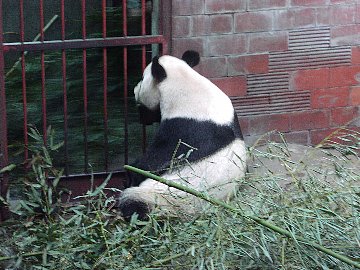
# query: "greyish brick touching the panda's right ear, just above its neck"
212, 67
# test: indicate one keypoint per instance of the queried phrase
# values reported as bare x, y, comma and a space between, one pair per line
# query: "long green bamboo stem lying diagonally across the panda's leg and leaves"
263, 222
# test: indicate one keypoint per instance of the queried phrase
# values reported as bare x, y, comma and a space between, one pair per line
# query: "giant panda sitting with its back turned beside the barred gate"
198, 143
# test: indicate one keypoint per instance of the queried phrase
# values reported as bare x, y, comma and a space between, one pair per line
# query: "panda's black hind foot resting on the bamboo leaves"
129, 207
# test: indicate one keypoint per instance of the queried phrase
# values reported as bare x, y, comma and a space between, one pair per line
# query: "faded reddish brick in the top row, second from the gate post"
216, 6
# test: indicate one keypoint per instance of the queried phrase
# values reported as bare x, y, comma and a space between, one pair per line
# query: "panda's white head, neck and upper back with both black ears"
171, 86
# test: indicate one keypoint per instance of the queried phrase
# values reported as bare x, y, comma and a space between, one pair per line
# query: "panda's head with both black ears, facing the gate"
147, 92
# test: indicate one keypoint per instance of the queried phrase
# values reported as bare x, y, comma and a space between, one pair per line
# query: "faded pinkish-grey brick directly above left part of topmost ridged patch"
295, 18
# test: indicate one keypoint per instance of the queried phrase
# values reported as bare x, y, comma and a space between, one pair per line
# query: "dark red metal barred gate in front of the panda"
43, 46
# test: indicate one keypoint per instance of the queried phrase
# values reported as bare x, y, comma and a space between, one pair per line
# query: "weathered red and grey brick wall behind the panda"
288, 65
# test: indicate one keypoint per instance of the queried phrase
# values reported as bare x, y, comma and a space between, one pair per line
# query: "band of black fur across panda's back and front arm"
209, 138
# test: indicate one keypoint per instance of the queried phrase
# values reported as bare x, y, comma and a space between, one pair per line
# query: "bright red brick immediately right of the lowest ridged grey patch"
330, 97
